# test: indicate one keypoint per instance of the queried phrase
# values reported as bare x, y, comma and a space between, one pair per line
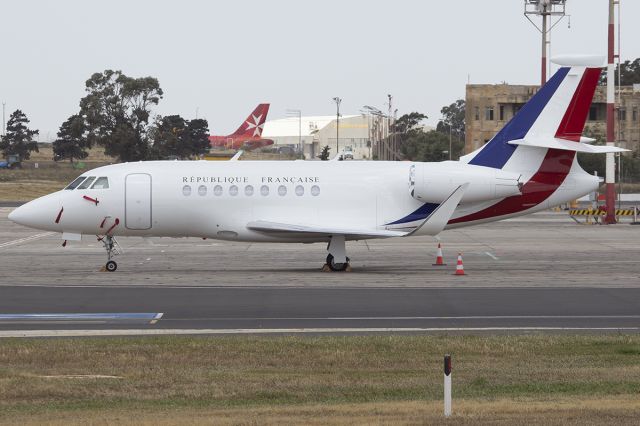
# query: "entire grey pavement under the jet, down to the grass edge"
538, 273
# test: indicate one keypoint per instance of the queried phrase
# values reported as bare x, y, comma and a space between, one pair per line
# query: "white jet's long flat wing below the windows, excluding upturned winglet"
314, 230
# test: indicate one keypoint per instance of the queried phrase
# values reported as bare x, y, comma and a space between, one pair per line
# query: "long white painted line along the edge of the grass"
158, 332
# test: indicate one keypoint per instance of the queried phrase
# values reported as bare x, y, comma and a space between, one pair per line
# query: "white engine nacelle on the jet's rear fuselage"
434, 182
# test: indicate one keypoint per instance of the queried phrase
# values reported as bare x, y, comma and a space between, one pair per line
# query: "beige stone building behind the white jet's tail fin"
490, 106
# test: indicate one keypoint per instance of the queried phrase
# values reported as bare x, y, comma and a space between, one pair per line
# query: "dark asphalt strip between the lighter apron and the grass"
317, 309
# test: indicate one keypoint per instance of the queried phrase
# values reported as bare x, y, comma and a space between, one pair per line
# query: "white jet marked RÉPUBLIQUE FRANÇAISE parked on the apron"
530, 165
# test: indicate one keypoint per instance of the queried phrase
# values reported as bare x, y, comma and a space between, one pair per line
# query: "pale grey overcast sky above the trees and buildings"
225, 57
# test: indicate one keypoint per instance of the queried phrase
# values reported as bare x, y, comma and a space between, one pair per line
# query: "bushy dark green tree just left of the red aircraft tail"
173, 136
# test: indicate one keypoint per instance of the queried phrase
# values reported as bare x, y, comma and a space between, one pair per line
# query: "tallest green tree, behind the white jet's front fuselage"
117, 109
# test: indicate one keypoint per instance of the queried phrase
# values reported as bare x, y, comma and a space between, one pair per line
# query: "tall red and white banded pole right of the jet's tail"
610, 178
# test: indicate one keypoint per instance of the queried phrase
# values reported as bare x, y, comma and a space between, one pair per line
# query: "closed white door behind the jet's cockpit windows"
137, 203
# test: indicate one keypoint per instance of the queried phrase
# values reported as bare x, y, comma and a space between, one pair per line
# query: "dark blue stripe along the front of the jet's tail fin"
497, 151
